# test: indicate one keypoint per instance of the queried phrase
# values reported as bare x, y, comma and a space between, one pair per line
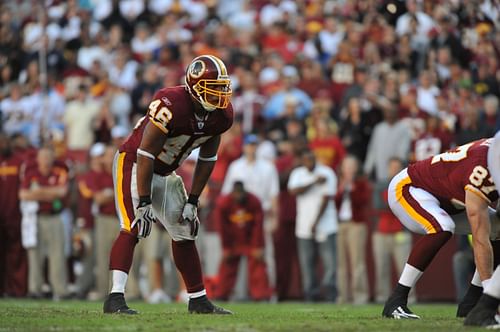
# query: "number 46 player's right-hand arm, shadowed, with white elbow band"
204, 167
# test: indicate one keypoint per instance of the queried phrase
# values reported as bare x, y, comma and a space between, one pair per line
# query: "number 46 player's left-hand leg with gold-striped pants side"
122, 251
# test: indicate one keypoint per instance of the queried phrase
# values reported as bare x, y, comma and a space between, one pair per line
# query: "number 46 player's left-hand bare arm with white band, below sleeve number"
150, 147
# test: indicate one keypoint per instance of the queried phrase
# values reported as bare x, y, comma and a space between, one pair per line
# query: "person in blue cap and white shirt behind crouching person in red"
260, 177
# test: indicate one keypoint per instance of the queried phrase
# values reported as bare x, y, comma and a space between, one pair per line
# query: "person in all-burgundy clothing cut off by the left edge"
13, 260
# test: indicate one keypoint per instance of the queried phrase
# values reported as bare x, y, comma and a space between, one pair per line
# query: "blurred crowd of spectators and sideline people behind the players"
367, 86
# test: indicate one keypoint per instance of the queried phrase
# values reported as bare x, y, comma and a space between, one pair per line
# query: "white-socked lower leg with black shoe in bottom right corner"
485, 311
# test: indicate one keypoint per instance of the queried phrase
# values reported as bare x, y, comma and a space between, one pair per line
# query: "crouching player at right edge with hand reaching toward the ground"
424, 197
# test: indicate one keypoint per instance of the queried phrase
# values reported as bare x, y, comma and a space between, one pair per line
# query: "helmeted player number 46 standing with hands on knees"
179, 119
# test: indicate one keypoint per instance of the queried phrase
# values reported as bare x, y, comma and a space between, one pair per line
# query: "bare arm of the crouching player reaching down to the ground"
477, 213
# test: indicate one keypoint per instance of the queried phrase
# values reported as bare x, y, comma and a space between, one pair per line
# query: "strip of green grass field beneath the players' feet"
26, 315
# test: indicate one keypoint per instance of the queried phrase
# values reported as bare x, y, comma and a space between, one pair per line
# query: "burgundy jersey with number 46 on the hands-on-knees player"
172, 111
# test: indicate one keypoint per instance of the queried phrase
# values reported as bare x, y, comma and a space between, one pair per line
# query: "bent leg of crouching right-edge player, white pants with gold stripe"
420, 212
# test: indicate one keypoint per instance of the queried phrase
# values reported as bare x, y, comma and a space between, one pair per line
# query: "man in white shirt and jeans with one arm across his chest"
316, 224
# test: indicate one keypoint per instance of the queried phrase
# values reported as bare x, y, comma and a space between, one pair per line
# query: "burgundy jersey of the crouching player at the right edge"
448, 175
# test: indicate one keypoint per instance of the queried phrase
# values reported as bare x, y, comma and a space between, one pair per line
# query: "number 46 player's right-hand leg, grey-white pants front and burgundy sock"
168, 199
